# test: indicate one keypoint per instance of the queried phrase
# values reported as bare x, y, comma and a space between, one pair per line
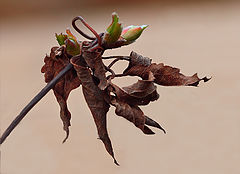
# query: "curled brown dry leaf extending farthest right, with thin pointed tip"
163, 74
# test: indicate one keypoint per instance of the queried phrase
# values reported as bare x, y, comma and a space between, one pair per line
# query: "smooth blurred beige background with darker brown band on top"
203, 132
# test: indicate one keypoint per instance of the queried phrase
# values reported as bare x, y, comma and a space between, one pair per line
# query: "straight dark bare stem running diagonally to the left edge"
33, 102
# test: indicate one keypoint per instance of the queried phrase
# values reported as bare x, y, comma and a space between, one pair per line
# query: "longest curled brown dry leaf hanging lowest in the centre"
95, 100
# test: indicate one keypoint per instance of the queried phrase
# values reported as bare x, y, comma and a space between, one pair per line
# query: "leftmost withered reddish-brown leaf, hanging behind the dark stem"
53, 65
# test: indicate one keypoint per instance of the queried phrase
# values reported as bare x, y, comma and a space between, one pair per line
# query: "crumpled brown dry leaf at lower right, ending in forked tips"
127, 100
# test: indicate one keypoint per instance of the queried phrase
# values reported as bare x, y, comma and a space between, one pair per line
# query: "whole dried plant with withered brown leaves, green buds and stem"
76, 63
